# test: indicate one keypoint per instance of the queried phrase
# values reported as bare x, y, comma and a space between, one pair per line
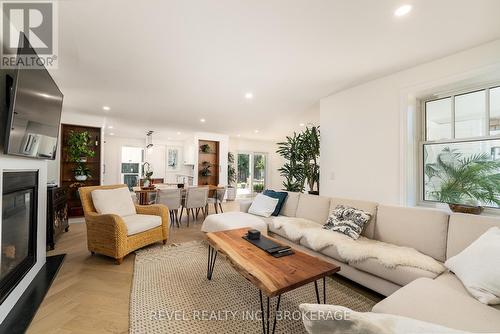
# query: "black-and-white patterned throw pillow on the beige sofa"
347, 220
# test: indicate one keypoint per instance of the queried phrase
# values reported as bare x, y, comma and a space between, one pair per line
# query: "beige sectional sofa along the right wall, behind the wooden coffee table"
411, 292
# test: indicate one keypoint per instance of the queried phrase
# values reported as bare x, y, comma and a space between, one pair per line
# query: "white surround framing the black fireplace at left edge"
14, 163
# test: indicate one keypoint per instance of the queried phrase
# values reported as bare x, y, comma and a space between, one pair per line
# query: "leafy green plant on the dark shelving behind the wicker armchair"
79, 150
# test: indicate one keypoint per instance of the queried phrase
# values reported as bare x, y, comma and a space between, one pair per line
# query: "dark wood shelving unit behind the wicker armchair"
67, 177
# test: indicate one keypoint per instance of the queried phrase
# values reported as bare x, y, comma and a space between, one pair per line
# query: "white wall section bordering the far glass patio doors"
274, 180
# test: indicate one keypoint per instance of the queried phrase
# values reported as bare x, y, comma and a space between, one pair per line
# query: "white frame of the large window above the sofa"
422, 139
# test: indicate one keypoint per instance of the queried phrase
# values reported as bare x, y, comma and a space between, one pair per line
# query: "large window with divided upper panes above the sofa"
461, 148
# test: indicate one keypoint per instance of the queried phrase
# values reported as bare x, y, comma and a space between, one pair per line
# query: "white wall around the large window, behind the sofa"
368, 132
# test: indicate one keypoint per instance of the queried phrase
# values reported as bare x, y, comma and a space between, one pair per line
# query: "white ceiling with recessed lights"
166, 64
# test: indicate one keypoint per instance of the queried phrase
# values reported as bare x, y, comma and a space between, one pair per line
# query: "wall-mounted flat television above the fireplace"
33, 111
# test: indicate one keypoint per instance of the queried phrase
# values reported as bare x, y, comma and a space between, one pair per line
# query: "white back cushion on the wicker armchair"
113, 201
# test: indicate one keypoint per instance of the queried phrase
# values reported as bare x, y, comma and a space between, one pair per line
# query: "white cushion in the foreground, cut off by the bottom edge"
333, 319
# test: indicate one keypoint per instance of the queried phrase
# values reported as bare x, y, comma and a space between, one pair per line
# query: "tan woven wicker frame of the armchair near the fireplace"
107, 233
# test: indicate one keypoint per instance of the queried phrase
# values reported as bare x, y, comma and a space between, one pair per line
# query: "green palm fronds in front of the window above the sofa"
458, 179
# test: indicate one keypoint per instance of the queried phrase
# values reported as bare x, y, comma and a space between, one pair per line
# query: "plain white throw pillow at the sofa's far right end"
478, 267
